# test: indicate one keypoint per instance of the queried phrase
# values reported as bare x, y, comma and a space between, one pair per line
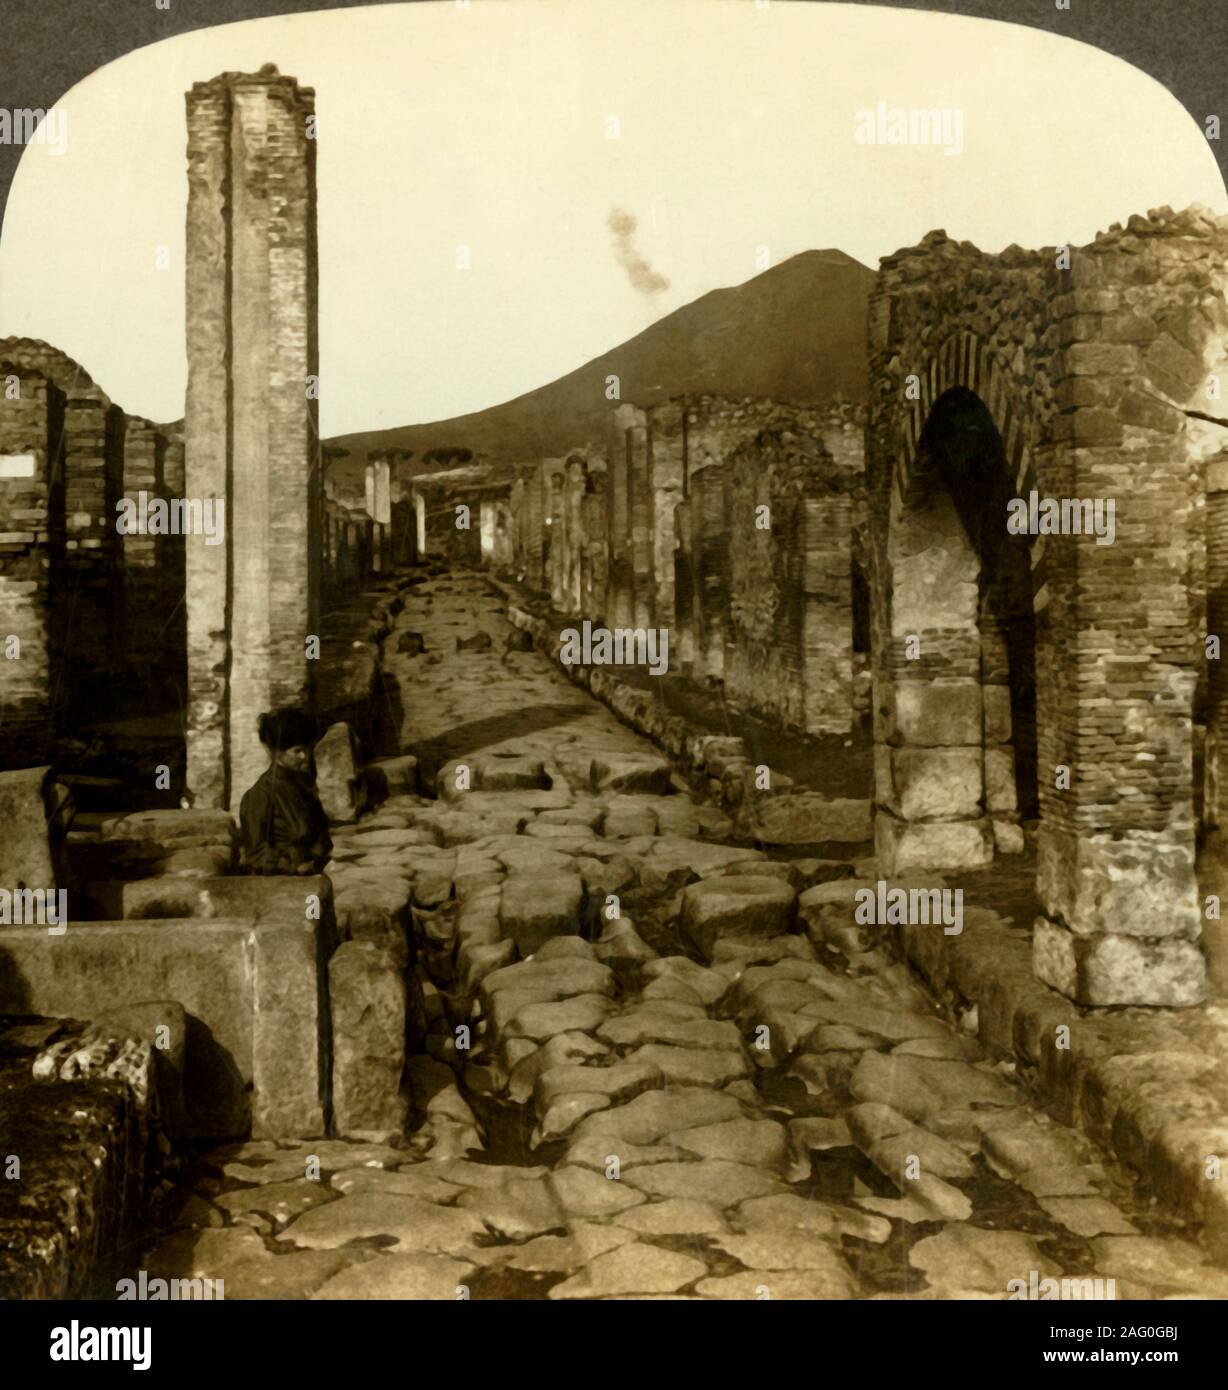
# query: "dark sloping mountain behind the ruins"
796, 333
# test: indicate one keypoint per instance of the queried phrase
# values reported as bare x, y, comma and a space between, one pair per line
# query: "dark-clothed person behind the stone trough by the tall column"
284, 825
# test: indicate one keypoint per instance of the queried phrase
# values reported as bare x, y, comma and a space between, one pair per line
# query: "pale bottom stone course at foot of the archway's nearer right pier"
1106, 970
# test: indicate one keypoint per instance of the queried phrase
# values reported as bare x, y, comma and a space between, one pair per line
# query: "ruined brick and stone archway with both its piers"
1092, 366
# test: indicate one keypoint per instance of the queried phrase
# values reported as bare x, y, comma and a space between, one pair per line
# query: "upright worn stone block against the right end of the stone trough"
368, 1003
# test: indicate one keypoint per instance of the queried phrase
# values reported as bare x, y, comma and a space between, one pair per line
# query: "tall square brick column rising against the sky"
251, 429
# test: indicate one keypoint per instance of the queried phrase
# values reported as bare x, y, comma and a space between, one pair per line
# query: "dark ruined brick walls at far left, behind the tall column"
88, 605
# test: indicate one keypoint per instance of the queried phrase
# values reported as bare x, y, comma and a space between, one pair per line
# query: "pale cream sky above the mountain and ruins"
489, 127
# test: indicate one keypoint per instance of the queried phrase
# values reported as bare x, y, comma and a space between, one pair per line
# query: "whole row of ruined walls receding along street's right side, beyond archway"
734, 526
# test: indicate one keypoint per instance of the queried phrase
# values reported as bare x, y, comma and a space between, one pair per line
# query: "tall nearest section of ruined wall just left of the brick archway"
768, 612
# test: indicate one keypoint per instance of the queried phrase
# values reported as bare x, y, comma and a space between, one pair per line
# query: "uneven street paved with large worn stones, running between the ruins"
720, 1089
